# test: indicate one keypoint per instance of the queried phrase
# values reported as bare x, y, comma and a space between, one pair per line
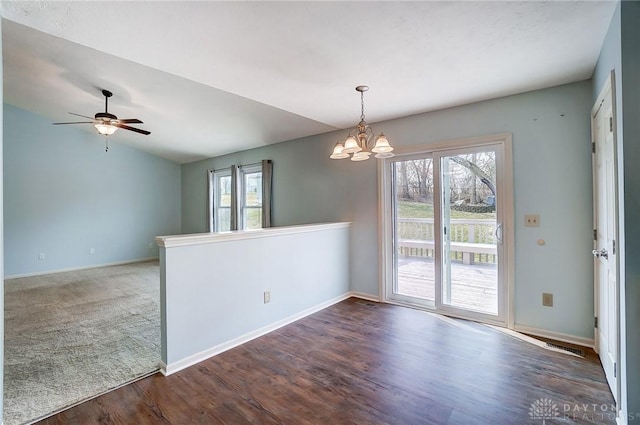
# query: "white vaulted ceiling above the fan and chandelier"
209, 78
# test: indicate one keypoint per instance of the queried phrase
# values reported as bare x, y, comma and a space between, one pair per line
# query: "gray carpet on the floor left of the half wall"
70, 336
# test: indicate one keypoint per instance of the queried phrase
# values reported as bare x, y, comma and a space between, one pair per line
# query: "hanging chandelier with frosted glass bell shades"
359, 141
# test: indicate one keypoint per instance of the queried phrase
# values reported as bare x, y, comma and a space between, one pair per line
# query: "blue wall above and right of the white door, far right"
621, 53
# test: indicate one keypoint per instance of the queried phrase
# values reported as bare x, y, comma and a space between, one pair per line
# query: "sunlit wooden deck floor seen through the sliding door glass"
473, 286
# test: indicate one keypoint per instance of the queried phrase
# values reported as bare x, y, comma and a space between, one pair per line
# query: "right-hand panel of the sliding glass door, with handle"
470, 232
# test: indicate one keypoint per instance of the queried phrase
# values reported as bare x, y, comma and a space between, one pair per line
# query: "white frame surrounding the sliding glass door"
386, 226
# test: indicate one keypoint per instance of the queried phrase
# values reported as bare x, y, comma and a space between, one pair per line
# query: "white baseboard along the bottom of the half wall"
168, 369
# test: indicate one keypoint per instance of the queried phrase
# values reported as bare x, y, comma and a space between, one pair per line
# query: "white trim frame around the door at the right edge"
608, 87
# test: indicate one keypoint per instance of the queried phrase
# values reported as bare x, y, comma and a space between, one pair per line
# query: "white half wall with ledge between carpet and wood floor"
219, 290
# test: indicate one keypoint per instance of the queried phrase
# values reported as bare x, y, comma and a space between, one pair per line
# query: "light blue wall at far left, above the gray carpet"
63, 194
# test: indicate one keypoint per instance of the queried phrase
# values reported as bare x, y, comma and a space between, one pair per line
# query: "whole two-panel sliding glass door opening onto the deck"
444, 226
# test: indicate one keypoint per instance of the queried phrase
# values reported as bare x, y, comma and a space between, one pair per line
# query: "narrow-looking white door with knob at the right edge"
604, 252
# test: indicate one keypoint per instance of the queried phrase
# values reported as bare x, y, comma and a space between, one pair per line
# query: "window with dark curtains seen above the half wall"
240, 197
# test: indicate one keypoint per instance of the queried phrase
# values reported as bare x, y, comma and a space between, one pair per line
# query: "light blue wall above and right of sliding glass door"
552, 177
